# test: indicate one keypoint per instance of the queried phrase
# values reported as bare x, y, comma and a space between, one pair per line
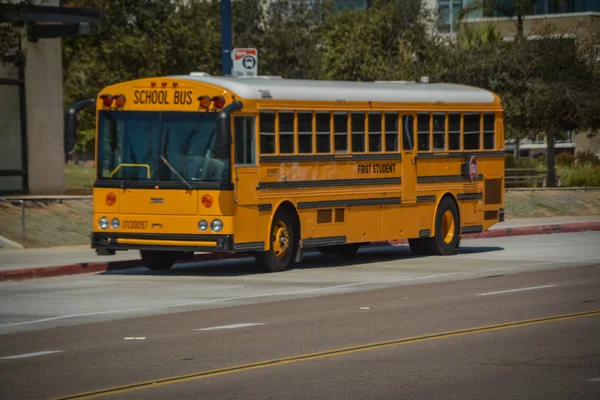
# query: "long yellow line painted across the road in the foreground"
322, 354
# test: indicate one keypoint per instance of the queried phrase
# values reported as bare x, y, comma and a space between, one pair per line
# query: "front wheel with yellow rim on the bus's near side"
276, 259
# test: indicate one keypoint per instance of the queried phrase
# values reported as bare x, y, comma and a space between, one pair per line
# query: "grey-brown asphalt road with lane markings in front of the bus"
506, 318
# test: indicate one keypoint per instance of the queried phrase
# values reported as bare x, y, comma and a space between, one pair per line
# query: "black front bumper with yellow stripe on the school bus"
109, 242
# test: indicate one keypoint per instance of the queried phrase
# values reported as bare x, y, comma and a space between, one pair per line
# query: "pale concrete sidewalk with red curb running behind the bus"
17, 264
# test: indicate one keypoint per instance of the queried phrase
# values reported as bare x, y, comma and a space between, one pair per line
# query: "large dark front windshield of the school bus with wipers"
160, 146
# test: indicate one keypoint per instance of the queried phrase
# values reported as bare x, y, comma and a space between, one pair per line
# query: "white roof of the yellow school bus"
311, 90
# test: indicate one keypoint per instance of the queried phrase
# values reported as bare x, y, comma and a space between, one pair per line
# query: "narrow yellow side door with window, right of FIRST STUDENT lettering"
409, 161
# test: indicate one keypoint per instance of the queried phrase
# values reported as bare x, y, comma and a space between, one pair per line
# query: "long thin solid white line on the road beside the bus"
202, 302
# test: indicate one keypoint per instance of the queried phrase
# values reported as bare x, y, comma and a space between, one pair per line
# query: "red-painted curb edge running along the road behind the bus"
84, 268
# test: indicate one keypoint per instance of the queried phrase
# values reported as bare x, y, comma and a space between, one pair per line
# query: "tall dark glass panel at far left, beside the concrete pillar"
10, 134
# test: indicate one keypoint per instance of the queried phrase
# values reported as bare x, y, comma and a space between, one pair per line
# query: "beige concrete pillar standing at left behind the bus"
44, 100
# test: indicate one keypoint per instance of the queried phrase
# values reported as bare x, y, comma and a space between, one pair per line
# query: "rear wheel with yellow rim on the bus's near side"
447, 234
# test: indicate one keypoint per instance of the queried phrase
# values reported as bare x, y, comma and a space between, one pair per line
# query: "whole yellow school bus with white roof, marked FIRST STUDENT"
272, 166
